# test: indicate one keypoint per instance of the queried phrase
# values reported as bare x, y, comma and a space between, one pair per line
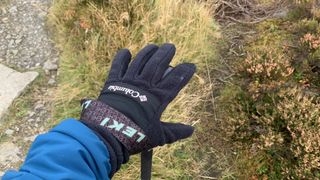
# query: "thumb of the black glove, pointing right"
176, 131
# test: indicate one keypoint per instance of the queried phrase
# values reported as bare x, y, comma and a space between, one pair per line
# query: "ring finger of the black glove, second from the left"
138, 63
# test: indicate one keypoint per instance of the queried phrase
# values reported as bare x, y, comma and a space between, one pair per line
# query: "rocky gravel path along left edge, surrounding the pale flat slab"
25, 45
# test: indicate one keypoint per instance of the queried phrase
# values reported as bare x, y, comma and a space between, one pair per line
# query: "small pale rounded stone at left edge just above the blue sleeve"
9, 152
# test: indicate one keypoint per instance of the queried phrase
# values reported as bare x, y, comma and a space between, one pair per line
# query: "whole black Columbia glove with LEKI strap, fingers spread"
132, 100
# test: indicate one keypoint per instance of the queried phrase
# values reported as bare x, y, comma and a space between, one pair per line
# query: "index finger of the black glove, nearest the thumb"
178, 77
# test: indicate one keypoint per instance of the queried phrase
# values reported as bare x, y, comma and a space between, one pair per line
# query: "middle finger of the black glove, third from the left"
158, 63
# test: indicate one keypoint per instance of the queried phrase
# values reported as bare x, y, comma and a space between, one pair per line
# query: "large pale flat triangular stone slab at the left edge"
12, 84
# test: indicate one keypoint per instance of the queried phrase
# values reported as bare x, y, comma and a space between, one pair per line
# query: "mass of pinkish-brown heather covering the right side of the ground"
273, 113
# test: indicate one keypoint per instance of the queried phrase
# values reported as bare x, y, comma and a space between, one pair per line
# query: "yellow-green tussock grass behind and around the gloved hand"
90, 32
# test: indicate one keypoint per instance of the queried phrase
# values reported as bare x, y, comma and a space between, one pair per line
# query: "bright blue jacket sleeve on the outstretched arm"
69, 151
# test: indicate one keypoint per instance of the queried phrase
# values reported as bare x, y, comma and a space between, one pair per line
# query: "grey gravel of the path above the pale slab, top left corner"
24, 40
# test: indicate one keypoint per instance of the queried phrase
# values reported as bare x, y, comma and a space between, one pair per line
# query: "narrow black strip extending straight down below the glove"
146, 164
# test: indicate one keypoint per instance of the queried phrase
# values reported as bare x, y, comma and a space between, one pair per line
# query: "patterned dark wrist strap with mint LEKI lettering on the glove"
121, 127
